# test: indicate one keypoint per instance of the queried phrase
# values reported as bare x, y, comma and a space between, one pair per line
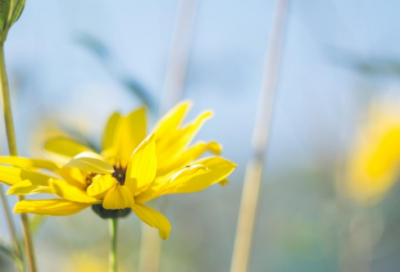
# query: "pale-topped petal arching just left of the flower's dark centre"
91, 162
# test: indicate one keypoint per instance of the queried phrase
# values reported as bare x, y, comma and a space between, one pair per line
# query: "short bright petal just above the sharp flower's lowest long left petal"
71, 193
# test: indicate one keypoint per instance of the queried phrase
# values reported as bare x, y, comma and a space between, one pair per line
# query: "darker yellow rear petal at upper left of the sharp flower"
65, 148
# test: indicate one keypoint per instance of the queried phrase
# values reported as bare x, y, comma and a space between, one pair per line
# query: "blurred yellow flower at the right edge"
374, 162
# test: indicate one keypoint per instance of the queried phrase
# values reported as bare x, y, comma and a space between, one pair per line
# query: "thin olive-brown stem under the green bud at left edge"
12, 146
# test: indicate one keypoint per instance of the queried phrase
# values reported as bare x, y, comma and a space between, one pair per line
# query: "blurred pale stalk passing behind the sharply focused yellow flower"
150, 251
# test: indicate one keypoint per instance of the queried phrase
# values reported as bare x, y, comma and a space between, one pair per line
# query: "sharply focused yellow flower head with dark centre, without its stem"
120, 180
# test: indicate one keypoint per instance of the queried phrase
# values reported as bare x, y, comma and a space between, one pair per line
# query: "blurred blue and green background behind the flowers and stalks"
72, 63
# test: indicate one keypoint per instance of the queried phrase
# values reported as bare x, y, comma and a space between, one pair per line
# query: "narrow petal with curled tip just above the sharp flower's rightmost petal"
187, 156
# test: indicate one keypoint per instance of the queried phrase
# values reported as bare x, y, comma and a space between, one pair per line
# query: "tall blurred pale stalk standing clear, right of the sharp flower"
251, 186
